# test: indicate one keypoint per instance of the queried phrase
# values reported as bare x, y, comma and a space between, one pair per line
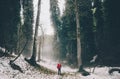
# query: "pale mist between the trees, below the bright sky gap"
50, 49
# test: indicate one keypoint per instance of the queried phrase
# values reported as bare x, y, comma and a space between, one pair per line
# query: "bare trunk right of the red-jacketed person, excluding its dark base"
78, 36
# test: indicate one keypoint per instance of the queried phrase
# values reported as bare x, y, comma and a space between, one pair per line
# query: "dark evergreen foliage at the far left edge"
9, 23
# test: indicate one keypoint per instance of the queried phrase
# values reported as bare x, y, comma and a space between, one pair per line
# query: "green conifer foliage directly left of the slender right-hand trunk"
68, 33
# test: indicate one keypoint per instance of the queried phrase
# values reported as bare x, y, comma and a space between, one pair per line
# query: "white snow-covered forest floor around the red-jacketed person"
6, 72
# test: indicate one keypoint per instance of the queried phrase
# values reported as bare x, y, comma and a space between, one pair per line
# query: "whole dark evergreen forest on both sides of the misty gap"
99, 28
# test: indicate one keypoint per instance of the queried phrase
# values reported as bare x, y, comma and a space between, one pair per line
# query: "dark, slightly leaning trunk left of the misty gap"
33, 58
